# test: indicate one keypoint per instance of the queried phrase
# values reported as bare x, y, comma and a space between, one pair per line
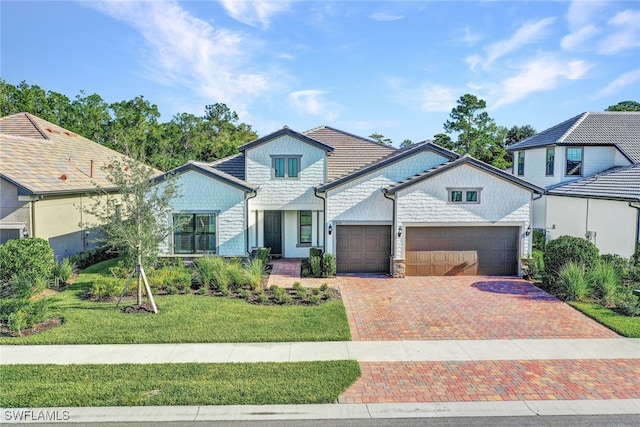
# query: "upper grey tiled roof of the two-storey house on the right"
620, 129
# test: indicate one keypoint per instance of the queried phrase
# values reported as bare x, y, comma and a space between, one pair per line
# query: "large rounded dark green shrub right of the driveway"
566, 249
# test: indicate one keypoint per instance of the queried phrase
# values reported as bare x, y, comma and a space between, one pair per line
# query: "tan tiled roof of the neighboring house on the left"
42, 158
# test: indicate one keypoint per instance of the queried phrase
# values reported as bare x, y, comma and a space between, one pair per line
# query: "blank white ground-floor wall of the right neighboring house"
614, 222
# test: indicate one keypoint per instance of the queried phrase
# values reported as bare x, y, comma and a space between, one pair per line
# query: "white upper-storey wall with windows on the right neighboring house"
595, 159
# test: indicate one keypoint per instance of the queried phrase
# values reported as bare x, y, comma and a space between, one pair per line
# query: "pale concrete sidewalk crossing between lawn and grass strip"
362, 351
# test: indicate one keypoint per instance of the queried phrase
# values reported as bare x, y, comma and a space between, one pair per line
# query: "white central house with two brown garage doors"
421, 210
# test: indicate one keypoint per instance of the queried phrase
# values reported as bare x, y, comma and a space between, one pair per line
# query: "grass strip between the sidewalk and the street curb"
175, 384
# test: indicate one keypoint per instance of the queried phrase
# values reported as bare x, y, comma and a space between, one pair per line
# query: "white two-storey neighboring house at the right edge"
589, 167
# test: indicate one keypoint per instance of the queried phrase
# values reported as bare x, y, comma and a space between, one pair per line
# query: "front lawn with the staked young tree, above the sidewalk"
185, 319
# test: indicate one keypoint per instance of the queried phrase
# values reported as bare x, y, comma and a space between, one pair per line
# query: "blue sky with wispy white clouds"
392, 67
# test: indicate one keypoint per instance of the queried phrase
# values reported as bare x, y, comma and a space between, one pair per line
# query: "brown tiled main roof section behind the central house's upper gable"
350, 152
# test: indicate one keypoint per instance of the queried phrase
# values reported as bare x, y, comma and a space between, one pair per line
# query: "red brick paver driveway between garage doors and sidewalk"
425, 308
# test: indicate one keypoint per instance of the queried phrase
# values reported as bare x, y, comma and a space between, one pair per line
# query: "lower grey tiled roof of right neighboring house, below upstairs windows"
619, 183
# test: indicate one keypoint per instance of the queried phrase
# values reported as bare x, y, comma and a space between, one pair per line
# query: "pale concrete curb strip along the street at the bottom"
522, 408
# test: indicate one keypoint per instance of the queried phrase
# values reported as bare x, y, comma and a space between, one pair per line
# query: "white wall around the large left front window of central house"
201, 193
